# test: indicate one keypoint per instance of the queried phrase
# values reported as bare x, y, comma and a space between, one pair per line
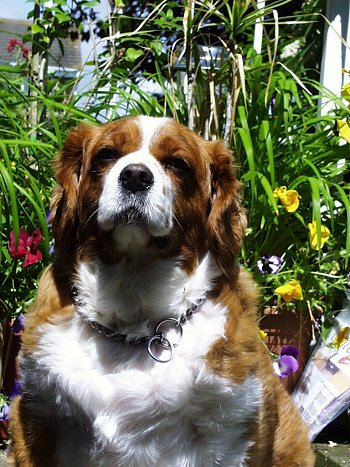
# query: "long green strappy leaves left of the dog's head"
26, 179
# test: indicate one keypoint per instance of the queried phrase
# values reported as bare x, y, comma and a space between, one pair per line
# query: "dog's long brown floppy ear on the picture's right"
227, 219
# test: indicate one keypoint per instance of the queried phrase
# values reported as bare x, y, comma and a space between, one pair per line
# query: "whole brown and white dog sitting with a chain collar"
142, 348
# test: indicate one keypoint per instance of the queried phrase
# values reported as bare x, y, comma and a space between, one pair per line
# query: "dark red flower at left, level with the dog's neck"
27, 246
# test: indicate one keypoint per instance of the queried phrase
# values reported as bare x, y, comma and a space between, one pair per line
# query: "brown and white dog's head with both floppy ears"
144, 185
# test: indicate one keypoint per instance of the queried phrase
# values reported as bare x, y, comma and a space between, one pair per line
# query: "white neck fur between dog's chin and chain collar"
130, 294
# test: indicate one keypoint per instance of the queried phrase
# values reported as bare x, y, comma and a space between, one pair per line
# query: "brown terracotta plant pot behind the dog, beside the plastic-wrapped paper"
284, 327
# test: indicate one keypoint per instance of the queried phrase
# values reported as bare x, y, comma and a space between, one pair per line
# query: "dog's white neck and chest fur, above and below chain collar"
120, 407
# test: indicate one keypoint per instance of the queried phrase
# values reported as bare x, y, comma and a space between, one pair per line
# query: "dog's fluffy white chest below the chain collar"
143, 413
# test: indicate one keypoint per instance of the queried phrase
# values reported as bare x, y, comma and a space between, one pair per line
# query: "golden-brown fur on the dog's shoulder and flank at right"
280, 435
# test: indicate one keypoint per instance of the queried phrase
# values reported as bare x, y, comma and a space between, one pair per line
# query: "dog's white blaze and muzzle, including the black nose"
137, 195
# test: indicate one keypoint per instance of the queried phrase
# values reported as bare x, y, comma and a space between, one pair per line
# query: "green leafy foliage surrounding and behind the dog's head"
265, 106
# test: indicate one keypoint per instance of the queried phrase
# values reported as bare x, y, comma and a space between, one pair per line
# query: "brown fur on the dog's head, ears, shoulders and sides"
210, 216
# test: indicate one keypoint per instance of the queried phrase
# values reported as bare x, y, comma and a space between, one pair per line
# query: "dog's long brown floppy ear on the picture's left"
64, 204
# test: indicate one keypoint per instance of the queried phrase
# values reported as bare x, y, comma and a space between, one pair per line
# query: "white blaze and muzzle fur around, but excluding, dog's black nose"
155, 207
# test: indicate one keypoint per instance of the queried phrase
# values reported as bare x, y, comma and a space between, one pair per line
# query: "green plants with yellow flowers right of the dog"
294, 170
